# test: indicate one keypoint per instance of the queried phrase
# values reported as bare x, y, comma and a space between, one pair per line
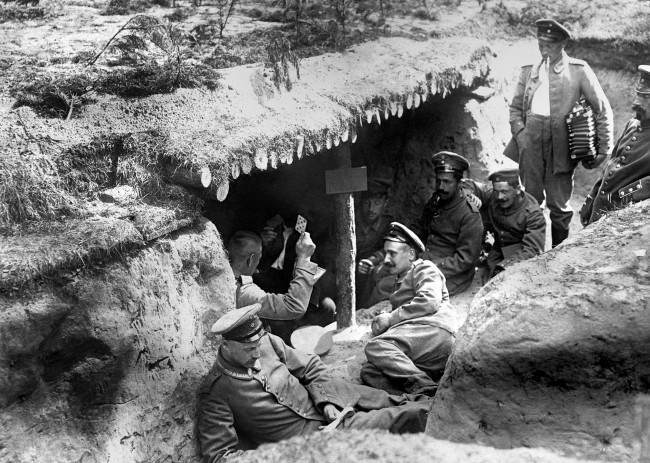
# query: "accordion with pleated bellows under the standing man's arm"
583, 139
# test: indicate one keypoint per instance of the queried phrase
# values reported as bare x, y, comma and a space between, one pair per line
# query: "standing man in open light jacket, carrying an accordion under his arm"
545, 94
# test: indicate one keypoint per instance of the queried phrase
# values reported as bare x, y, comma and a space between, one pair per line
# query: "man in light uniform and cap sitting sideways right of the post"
411, 343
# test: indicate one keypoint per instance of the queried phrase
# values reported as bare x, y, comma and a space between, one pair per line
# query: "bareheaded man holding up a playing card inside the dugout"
245, 250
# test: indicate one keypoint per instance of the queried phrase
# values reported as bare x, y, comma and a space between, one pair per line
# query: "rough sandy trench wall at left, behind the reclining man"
104, 362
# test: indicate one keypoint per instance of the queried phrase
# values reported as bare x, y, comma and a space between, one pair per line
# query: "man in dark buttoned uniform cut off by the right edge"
626, 177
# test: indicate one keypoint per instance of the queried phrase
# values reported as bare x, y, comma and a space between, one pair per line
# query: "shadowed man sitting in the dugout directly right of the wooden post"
374, 282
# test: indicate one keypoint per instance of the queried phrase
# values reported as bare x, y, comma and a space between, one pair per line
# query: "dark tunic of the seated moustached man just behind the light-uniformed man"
452, 234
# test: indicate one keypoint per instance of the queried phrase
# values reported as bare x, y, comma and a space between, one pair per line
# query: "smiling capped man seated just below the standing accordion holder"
515, 219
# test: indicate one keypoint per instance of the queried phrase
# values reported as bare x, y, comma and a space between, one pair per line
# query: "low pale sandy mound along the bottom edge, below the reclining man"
373, 446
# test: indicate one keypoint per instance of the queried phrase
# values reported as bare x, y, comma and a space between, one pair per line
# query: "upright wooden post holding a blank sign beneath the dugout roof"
346, 246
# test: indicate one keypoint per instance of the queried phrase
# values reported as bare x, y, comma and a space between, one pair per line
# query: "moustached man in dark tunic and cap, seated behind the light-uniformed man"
451, 224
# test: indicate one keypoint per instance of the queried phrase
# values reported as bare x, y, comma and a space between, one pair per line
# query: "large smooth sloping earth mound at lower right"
556, 349
